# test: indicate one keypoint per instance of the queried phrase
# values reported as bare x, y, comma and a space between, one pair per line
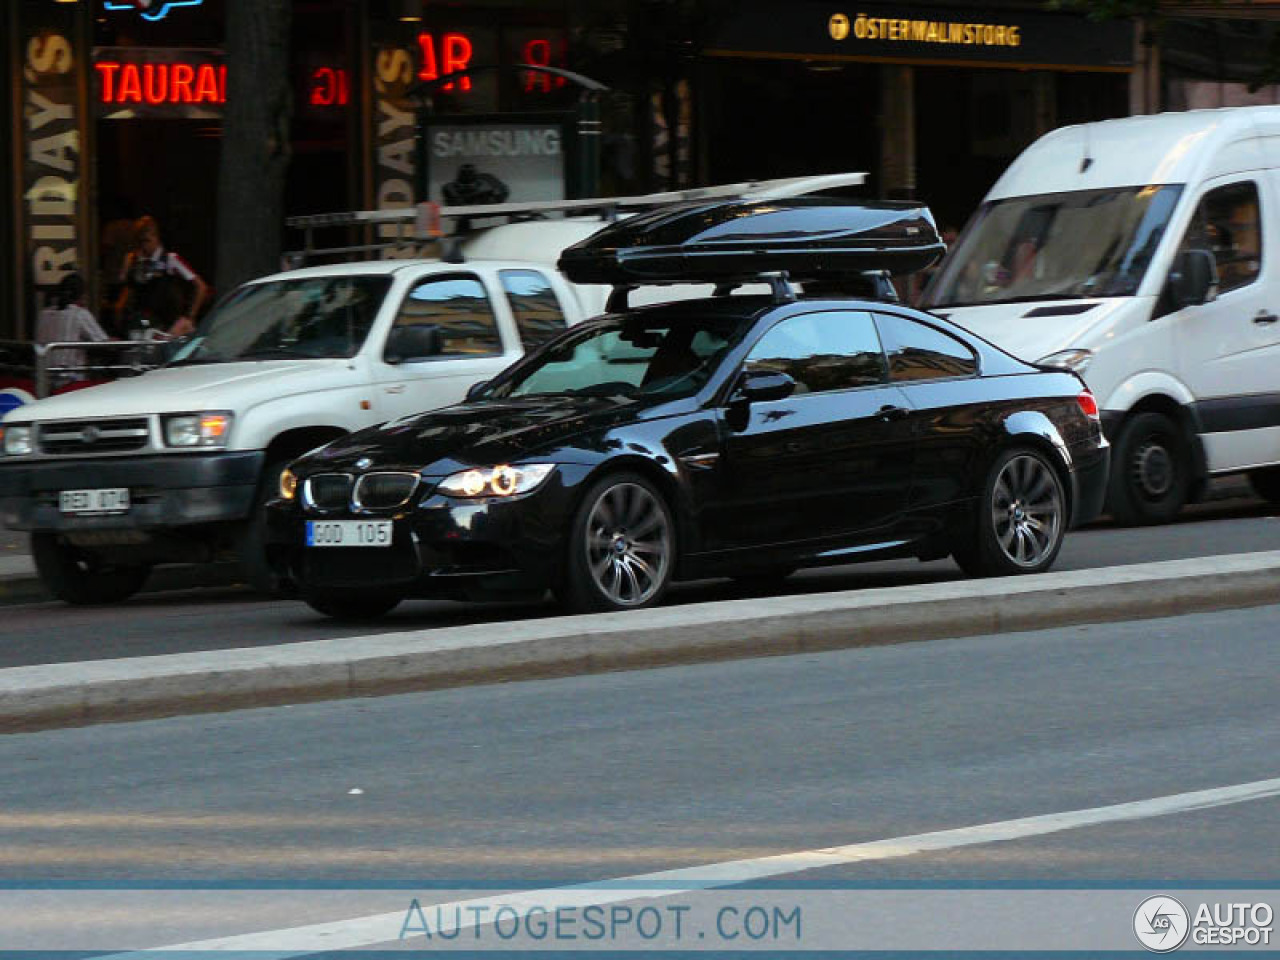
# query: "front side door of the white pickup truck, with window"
470, 346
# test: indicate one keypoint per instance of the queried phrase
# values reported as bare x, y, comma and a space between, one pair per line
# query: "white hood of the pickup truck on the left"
177, 390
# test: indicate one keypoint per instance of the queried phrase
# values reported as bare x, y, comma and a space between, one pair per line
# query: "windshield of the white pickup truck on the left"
318, 317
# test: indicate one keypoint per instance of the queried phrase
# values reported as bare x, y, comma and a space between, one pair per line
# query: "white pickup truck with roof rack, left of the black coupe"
172, 467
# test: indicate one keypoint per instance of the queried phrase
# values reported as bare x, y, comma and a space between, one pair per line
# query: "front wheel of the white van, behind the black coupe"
1151, 472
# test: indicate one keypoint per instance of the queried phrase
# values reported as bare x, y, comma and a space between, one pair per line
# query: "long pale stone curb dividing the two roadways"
98, 692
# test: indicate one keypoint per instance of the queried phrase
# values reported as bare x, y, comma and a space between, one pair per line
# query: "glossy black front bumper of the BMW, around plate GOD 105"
441, 546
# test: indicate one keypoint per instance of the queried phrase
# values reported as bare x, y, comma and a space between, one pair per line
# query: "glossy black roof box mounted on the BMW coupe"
810, 239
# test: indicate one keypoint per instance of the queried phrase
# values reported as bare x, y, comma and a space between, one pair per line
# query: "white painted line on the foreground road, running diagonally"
381, 929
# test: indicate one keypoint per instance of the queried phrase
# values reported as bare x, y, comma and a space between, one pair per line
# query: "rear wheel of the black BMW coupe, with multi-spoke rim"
1021, 518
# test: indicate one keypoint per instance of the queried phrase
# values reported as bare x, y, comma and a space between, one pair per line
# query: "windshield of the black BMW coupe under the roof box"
661, 358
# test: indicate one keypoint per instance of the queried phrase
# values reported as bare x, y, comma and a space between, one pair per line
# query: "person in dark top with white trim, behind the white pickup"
162, 294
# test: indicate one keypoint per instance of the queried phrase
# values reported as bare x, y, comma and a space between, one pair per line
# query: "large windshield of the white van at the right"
1057, 246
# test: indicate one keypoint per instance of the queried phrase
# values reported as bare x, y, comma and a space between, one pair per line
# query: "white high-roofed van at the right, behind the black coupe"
1144, 254
